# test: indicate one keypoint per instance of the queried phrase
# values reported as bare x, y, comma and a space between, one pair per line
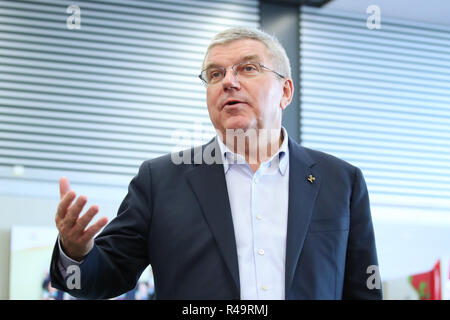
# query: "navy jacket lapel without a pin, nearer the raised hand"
209, 185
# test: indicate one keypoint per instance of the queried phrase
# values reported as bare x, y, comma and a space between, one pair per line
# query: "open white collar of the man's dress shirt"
280, 158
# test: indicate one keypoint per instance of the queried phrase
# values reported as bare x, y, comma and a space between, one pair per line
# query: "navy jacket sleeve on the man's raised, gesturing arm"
120, 252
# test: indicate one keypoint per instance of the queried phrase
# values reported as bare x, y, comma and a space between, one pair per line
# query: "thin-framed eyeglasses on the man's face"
248, 69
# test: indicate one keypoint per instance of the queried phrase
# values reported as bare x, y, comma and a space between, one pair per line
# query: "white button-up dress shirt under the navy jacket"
259, 208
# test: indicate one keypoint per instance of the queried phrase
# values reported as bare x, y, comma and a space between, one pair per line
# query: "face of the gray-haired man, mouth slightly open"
261, 99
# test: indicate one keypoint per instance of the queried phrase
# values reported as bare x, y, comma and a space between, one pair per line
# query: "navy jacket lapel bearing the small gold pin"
302, 196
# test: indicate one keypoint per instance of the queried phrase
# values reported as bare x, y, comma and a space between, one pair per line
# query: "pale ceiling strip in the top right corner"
430, 11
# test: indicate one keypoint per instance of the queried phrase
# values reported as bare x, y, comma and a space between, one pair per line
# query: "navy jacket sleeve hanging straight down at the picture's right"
361, 281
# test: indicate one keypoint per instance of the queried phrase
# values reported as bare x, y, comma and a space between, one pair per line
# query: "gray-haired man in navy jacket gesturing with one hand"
267, 219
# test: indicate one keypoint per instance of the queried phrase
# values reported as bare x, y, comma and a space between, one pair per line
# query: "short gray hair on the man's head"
276, 51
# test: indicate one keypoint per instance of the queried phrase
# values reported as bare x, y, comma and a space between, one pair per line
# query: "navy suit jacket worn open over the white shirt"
178, 219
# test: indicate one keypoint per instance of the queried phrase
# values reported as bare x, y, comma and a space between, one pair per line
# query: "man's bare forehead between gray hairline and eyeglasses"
234, 52
